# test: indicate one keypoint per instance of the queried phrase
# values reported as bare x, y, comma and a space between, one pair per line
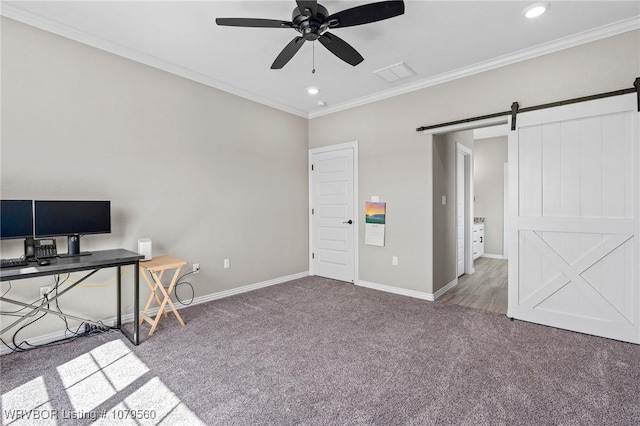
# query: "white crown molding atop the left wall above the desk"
83, 37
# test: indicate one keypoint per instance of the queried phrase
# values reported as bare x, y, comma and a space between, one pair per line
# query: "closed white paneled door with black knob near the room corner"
333, 222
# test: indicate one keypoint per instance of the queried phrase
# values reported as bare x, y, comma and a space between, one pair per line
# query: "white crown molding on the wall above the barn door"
512, 58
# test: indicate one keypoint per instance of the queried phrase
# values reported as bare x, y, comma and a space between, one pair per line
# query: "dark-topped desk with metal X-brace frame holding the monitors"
116, 258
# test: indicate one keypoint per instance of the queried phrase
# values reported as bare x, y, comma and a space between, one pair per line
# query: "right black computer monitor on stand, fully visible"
72, 219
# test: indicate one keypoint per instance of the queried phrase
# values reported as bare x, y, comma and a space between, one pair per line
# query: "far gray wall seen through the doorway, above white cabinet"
489, 156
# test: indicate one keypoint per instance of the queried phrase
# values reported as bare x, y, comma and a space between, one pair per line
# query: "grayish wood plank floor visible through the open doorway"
485, 289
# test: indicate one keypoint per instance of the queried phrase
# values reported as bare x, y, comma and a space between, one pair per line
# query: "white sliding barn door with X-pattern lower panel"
574, 218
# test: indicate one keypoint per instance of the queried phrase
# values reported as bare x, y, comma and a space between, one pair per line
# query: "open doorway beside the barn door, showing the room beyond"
477, 277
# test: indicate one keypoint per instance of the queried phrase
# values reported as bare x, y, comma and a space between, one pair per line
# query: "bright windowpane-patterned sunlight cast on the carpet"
94, 382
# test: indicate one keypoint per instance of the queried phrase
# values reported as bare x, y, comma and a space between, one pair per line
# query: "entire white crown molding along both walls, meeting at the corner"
37, 21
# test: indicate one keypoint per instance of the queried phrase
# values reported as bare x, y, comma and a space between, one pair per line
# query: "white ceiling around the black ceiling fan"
439, 40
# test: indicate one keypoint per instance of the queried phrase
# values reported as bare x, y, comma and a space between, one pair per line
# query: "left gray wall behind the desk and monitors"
205, 174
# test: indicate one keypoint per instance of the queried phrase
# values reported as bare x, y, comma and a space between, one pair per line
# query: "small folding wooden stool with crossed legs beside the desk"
155, 268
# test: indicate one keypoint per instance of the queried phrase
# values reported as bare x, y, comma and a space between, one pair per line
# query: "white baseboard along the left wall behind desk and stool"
57, 335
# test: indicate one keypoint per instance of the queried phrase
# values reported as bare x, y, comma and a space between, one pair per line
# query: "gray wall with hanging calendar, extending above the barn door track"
395, 160
